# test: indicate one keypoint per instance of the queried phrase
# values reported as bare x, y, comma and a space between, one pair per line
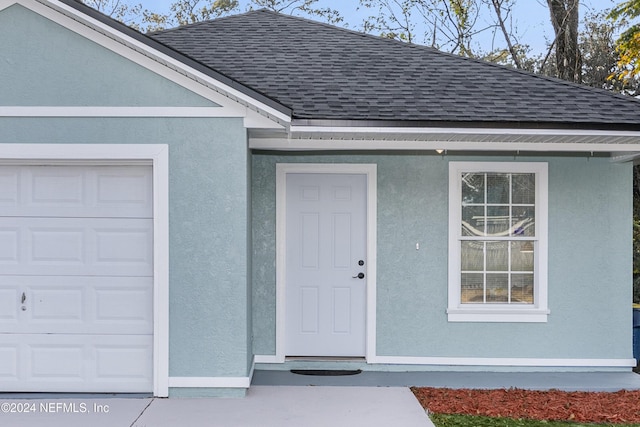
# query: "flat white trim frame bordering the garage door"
157, 155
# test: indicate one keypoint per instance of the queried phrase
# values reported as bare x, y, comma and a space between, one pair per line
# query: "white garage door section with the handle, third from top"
76, 305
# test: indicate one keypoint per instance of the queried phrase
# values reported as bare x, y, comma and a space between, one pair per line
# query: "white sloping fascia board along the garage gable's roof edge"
243, 105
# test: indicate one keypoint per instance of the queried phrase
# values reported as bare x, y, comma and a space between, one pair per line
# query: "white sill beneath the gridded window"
493, 314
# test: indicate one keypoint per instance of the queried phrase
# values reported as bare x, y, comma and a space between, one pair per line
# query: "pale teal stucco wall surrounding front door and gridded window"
590, 274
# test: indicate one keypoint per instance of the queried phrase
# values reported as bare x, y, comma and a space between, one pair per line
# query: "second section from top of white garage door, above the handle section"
76, 246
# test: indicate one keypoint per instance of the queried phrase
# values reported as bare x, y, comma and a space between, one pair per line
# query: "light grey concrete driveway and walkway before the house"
263, 406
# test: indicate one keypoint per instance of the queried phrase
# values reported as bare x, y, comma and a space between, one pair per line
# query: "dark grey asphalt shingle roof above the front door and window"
324, 72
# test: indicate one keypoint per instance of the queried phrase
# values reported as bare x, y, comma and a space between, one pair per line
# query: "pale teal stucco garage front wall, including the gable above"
43, 64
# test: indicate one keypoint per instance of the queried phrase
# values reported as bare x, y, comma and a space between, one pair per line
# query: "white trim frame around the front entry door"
370, 171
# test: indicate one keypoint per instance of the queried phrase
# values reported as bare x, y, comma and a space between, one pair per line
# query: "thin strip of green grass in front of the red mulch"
473, 421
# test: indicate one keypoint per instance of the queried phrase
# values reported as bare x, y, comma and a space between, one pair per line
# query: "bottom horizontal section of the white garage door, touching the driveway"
76, 363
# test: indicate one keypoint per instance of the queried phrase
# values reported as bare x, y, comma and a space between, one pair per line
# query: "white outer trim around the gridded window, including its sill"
538, 312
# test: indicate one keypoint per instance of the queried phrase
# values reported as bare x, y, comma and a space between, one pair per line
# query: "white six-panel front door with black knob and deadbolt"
326, 231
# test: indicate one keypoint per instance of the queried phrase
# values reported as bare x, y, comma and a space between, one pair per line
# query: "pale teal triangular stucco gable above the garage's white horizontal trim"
57, 67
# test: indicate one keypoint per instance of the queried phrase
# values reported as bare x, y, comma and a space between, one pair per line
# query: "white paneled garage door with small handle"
76, 278
